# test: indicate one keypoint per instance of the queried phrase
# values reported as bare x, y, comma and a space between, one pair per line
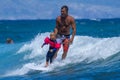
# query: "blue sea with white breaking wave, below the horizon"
94, 54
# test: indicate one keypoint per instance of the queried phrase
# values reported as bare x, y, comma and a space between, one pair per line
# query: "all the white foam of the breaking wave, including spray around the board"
84, 48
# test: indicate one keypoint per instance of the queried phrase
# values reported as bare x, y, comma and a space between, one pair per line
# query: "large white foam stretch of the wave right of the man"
94, 48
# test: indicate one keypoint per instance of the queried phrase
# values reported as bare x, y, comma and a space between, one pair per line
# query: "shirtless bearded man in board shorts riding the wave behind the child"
64, 23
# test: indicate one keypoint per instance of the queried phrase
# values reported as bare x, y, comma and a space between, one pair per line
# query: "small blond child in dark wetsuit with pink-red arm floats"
54, 46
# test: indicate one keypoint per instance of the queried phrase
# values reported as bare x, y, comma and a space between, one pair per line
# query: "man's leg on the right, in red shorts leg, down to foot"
65, 48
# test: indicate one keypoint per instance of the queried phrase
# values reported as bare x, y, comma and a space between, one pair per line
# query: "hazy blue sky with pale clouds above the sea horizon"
50, 9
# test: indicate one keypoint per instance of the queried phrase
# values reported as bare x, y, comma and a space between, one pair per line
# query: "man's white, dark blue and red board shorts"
63, 39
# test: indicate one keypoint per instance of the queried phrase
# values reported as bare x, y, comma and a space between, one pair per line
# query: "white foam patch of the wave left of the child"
35, 47
